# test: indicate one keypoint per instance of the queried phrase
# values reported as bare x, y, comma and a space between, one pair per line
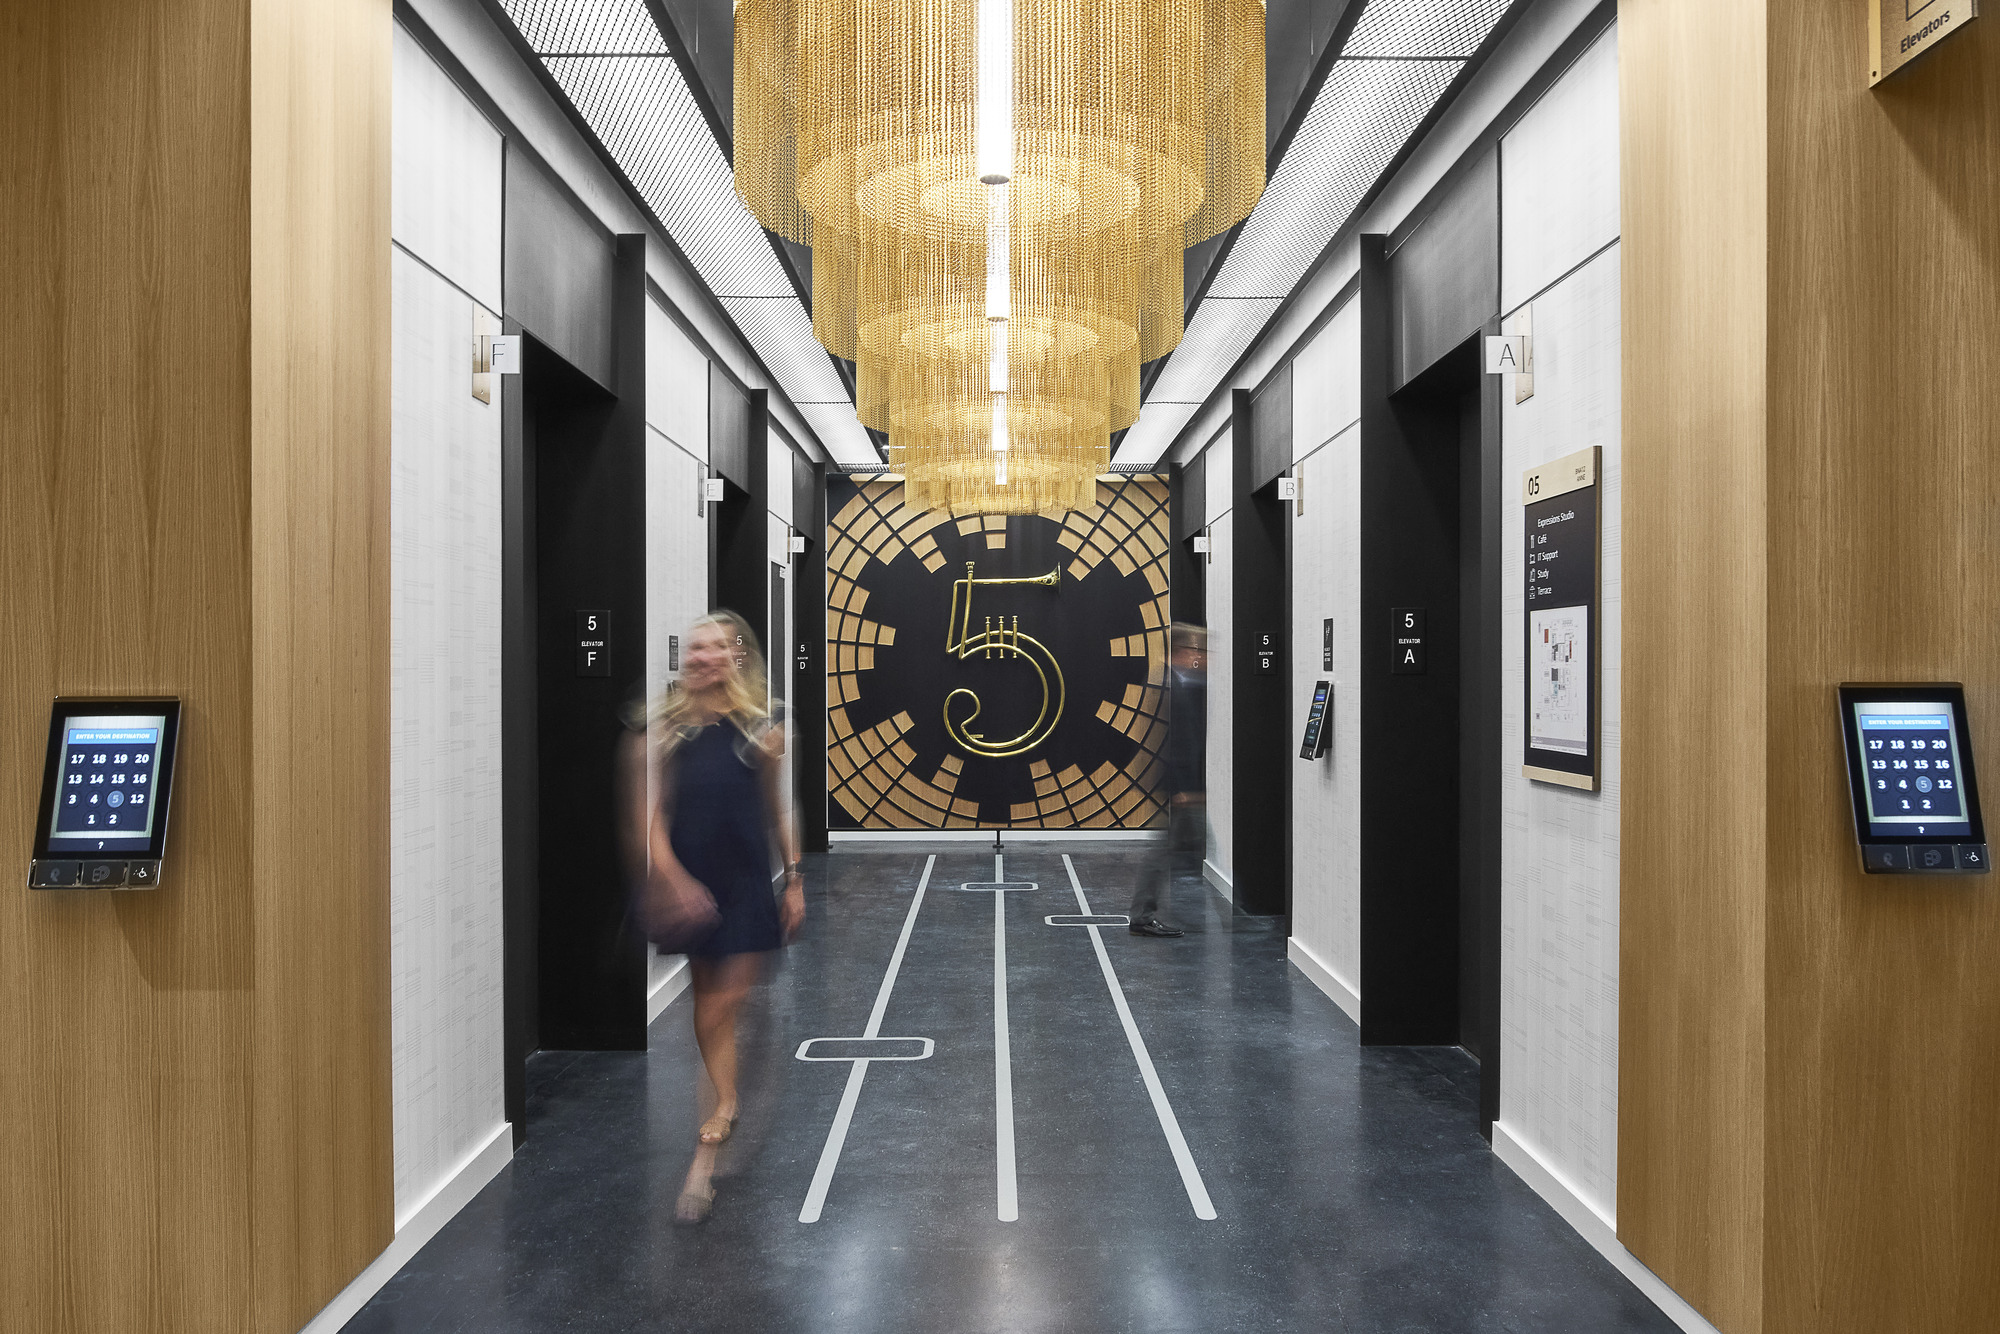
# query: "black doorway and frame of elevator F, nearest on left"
573, 539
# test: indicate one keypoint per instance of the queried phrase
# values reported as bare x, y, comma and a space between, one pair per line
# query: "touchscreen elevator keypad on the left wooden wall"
107, 793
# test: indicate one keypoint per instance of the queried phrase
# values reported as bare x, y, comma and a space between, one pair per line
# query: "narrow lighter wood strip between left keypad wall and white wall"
323, 1171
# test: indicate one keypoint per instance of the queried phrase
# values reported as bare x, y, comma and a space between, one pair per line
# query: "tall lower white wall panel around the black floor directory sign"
1559, 859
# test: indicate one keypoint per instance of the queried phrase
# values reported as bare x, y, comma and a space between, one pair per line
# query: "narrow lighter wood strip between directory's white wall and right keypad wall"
1693, 829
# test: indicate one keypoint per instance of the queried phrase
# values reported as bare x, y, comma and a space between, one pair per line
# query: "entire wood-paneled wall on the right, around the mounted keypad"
1811, 1057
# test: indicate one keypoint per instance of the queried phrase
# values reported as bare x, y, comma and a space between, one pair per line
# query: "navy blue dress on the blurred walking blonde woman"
721, 837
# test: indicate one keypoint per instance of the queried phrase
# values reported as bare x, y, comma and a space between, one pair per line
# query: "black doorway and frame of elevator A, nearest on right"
1431, 743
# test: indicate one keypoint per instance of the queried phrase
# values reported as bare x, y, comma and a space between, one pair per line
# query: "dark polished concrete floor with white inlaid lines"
1351, 1187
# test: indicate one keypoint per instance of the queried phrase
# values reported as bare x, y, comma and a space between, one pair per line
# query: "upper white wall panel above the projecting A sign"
1559, 177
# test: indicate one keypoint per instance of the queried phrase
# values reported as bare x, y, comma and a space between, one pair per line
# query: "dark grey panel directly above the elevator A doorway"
1445, 279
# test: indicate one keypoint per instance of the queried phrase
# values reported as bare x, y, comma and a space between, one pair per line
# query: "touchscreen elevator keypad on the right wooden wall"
1917, 799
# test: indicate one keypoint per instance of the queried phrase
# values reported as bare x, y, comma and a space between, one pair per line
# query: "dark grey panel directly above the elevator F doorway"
559, 271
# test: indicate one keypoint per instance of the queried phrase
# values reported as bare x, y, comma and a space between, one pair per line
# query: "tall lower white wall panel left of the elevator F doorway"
445, 739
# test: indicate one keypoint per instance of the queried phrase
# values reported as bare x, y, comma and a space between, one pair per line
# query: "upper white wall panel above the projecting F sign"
445, 177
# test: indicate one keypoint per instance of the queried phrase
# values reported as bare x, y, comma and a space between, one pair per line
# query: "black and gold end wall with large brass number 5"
1055, 723
